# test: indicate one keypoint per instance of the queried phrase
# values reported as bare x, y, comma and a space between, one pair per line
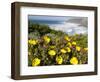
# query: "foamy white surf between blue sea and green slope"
70, 28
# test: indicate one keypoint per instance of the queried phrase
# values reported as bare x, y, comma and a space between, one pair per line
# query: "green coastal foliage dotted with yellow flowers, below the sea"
50, 47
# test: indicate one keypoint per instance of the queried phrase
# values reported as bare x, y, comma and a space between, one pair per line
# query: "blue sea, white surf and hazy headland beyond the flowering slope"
70, 25
